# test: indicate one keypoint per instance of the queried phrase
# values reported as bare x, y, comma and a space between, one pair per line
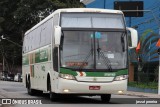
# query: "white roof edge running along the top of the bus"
89, 10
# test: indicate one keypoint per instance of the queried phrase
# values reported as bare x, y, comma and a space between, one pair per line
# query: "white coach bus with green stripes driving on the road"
78, 51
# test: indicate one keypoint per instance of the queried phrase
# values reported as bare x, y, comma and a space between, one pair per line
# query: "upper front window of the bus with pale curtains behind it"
92, 20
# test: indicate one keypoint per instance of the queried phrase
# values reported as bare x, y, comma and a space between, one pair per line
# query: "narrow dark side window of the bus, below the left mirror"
55, 59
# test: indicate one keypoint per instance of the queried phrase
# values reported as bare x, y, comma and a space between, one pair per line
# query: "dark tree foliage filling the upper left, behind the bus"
17, 16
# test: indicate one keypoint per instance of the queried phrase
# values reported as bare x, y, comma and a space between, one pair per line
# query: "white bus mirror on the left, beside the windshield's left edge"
57, 35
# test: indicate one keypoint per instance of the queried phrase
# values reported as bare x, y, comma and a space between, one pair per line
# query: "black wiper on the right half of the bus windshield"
106, 60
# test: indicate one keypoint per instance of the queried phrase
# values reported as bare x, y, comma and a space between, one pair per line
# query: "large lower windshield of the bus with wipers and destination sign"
93, 50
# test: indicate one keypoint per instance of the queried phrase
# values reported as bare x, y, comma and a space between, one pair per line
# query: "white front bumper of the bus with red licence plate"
75, 87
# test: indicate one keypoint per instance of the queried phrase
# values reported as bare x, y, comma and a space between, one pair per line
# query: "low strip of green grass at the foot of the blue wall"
150, 85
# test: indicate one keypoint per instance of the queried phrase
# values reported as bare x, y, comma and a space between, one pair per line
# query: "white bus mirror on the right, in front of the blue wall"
132, 37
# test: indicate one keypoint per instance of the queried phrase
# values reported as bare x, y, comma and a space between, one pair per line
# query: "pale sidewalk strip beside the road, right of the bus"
141, 94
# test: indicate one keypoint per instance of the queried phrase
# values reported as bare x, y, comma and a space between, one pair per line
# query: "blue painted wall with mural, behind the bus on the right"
147, 27
